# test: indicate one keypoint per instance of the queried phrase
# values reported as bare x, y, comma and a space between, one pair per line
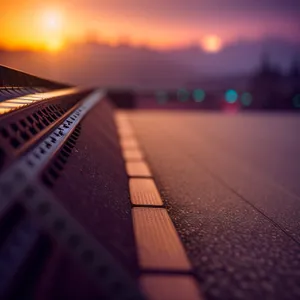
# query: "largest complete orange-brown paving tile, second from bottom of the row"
158, 244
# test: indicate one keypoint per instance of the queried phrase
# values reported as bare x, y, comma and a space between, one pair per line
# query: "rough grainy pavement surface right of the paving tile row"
231, 185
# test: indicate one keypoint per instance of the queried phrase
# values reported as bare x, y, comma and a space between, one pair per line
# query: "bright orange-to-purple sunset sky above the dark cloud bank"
33, 24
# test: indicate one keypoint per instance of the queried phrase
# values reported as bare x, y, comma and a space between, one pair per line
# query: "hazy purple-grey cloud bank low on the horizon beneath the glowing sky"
131, 66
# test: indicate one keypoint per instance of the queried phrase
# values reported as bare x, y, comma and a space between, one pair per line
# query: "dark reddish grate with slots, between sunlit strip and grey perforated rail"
20, 129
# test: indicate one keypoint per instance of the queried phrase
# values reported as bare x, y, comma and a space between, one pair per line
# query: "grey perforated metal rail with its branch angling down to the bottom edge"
21, 181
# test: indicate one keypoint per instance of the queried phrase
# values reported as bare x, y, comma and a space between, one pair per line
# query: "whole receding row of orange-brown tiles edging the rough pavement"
166, 270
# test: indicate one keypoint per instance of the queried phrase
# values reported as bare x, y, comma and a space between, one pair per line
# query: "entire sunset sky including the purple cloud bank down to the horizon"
139, 43
